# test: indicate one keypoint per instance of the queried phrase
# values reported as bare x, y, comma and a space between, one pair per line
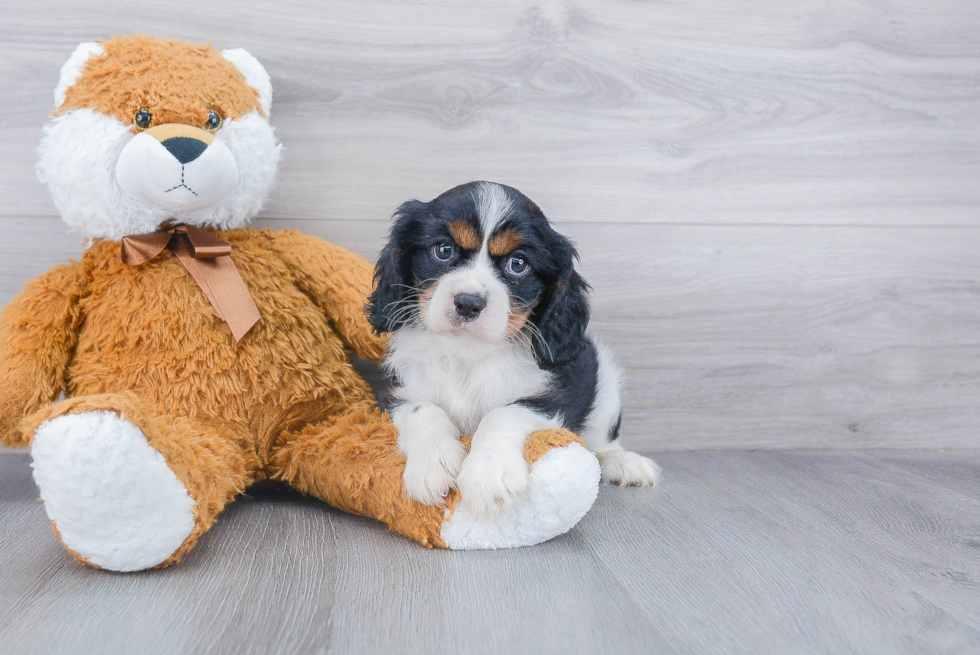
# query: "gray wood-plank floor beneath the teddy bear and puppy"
738, 552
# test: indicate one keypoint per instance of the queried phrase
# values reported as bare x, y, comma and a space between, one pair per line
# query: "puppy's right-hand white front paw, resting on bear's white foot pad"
488, 482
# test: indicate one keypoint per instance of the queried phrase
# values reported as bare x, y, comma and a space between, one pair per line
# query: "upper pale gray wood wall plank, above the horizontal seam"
842, 112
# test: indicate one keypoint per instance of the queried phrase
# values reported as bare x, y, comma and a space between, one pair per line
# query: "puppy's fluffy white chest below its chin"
463, 376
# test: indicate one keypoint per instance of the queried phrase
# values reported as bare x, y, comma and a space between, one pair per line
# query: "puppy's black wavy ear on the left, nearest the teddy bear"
386, 307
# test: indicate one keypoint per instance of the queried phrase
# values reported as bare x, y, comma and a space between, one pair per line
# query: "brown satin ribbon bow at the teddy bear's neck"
207, 259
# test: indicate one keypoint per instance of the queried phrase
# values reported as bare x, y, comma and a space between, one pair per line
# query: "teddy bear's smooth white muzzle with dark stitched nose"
177, 168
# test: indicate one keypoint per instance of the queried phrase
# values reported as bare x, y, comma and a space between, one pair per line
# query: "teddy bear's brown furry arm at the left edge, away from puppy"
38, 331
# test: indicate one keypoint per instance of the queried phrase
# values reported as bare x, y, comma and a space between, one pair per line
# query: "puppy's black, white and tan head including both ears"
482, 260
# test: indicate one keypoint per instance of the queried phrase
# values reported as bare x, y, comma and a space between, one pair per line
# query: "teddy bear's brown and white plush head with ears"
148, 130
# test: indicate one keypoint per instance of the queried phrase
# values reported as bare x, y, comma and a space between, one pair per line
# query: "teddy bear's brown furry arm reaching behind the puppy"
339, 281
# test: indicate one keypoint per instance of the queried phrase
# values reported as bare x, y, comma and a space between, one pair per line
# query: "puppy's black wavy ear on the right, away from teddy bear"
564, 315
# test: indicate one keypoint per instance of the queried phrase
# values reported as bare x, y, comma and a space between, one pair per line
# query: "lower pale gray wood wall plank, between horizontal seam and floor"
748, 337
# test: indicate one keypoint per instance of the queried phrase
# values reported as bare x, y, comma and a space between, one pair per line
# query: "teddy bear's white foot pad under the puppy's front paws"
563, 486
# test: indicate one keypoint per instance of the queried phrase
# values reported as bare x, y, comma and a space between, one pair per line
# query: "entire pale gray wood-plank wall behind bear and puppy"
777, 203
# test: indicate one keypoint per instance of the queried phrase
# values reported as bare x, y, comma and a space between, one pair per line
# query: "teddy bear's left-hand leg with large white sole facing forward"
127, 488
